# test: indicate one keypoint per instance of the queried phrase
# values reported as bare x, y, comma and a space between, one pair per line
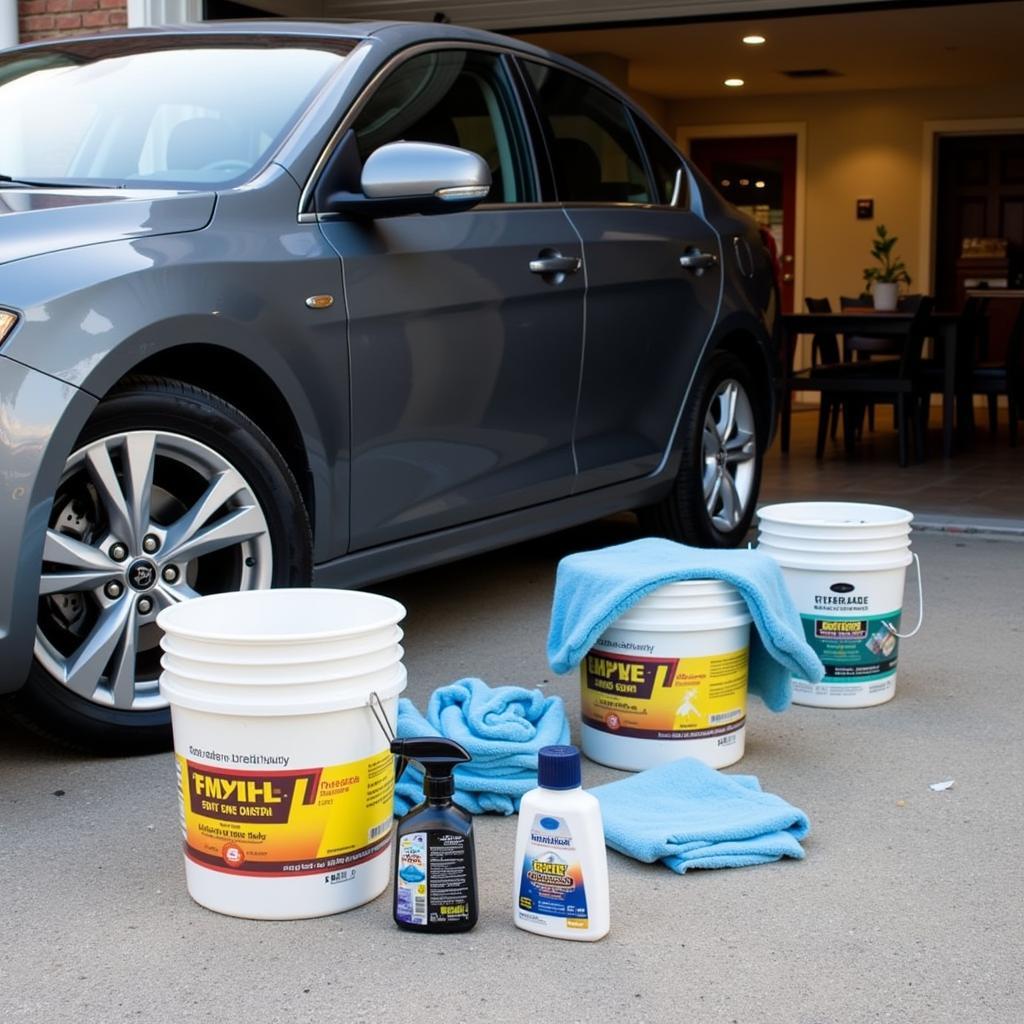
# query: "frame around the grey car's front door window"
532, 170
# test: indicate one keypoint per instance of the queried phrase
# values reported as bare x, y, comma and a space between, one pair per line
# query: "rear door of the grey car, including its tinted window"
653, 280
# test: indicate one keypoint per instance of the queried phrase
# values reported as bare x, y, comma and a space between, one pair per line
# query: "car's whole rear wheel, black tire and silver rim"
713, 498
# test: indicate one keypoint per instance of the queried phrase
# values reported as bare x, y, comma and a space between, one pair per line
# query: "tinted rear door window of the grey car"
594, 152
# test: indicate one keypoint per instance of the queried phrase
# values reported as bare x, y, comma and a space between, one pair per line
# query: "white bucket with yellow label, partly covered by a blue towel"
668, 680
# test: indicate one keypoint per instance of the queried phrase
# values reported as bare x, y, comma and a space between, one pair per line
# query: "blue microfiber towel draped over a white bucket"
594, 588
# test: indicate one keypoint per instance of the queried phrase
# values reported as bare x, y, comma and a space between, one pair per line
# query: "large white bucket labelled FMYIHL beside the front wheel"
285, 779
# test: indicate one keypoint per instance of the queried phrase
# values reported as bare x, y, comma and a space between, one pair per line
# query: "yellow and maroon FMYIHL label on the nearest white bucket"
281, 824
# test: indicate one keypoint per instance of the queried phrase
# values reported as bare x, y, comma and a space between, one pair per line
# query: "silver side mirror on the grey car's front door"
416, 178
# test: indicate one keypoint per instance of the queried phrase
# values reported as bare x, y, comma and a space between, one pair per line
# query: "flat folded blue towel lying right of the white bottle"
689, 816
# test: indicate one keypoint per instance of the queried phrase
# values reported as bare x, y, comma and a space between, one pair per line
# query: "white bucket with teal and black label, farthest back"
846, 577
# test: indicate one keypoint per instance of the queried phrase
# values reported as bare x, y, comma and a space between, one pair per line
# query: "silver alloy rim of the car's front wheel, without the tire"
142, 521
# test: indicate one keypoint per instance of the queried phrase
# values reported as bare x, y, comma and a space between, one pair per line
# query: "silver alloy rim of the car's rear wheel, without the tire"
729, 451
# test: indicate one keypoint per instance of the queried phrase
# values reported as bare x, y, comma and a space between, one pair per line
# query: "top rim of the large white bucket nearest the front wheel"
168, 620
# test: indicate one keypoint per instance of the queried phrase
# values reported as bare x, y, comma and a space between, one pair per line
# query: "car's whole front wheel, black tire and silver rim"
169, 493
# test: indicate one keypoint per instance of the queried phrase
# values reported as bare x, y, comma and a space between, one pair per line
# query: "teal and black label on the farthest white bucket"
855, 651
